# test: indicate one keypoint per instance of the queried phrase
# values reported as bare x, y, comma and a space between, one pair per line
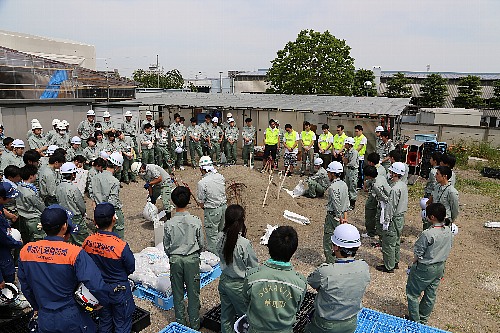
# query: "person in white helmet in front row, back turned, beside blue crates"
340, 285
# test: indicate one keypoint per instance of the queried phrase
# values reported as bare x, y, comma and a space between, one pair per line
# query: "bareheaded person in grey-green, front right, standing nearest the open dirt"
431, 250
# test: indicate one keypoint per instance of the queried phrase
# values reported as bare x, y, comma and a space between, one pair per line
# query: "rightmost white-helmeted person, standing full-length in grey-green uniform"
394, 218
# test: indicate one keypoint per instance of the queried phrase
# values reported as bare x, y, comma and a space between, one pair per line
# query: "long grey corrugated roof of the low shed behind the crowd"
313, 103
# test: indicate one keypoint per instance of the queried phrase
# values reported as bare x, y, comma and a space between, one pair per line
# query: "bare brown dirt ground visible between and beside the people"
468, 297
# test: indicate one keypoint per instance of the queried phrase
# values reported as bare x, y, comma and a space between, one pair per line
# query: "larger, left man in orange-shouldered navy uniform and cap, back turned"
50, 271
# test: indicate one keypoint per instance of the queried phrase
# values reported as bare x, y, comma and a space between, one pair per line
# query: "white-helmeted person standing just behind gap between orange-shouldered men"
70, 197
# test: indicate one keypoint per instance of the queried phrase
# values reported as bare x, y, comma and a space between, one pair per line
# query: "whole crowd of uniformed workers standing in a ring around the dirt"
57, 254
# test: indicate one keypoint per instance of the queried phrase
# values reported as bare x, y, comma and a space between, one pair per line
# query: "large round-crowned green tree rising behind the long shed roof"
315, 63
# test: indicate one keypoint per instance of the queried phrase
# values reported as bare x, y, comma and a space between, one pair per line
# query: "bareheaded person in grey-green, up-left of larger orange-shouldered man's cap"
29, 206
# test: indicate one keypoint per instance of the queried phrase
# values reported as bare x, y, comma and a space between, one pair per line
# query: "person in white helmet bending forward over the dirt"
158, 182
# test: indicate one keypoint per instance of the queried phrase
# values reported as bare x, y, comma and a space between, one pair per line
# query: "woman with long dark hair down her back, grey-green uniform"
236, 256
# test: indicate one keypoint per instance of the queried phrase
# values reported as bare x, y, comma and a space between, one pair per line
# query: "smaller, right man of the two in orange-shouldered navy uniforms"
116, 262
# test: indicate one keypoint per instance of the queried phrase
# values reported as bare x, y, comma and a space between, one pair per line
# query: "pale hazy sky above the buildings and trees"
211, 36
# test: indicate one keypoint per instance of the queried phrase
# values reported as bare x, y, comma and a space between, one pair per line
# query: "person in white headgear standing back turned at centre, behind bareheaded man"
211, 195
